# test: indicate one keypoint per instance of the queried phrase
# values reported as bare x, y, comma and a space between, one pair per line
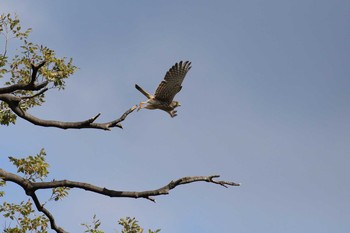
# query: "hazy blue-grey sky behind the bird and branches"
266, 104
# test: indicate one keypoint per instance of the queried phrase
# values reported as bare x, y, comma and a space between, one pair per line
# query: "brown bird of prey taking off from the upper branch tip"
167, 89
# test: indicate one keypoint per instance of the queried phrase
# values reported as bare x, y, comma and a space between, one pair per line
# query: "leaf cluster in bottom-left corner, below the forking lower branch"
25, 218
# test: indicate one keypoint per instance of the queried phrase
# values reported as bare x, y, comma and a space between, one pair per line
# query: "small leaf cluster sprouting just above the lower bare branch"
33, 167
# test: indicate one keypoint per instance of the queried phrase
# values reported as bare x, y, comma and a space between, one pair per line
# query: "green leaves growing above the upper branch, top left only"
55, 69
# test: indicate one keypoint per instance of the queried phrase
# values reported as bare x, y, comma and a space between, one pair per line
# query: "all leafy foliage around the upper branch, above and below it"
19, 69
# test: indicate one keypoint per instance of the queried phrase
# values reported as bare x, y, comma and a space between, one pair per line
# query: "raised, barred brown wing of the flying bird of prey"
173, 79
